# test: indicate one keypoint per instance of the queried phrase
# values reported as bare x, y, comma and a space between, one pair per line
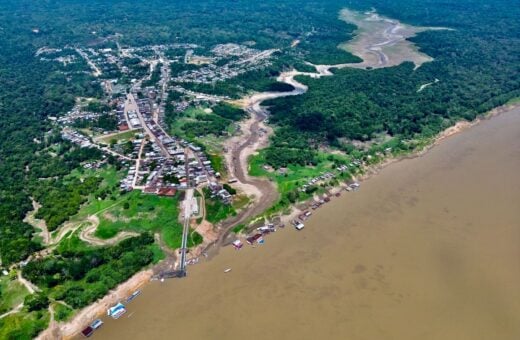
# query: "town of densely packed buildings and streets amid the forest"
137, 82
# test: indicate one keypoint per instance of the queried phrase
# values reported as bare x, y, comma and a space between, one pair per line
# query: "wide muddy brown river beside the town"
427, 249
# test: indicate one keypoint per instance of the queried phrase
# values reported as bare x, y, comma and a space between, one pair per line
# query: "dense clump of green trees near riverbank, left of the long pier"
79, 277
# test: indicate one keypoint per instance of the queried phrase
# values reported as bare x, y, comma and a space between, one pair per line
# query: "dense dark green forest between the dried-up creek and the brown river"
476, 65
